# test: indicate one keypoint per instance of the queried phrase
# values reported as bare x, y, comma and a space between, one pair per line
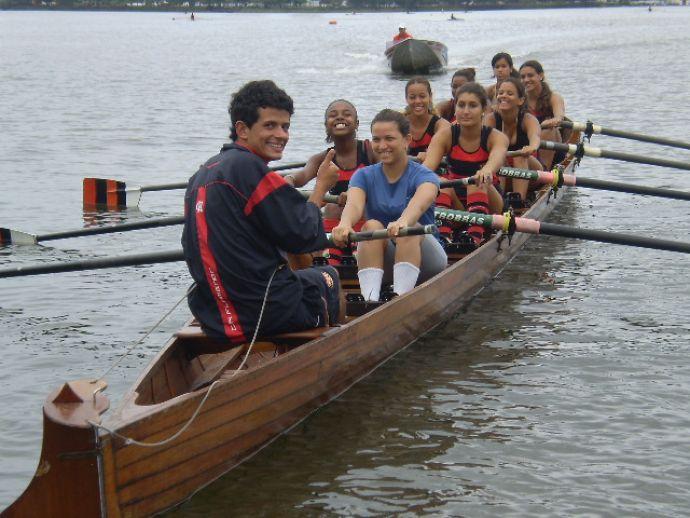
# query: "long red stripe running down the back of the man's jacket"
231, 322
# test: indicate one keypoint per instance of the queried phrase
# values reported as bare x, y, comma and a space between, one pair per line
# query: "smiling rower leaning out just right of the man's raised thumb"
348, 155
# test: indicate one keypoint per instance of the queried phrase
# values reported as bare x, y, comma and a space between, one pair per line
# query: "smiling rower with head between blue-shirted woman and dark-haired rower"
424, 123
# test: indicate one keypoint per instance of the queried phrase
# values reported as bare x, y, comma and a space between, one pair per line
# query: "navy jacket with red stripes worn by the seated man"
238, 219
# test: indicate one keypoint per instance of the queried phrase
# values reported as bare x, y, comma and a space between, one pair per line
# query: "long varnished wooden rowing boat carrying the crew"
88, 470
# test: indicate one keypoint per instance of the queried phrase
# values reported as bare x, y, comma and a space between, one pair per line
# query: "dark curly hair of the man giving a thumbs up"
245, 103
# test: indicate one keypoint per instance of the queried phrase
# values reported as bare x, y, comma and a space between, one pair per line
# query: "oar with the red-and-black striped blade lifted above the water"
101, 193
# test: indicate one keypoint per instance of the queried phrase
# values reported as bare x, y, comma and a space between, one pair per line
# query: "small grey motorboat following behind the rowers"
413, 56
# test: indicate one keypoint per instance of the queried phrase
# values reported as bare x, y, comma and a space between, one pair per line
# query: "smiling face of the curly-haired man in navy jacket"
268, 136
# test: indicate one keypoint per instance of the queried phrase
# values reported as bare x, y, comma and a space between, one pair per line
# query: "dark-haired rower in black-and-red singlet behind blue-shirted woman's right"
471, 149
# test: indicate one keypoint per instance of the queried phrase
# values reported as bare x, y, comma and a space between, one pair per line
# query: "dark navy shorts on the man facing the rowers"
320, 293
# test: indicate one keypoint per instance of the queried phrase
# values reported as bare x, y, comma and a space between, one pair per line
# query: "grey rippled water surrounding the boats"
562, 389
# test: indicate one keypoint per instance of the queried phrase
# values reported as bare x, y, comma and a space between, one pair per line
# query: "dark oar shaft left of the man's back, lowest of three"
94, 264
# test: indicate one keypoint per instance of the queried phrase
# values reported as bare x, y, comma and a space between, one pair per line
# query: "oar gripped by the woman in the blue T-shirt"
169, 256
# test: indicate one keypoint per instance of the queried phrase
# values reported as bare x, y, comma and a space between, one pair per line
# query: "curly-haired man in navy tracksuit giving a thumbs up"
240, 219
